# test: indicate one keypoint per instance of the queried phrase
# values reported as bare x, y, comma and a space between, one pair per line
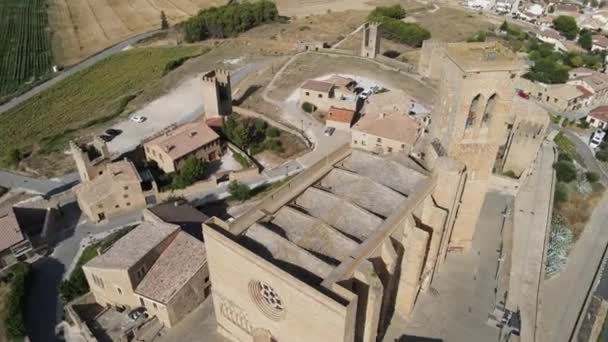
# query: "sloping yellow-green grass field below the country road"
92, 96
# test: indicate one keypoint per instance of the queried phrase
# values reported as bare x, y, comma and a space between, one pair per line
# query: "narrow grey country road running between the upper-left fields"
74, 69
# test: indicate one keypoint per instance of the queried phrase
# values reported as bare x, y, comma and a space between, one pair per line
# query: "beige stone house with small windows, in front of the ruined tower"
117, 190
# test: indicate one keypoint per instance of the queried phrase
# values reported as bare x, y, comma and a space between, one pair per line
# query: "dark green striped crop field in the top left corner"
25, 49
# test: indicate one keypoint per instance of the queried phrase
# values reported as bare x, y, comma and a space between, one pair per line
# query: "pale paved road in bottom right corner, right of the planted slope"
564, 294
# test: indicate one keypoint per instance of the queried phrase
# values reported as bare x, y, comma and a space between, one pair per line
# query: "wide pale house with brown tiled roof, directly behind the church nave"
385, 132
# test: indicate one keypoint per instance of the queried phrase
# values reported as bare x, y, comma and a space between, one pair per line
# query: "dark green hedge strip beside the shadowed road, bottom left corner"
14, 318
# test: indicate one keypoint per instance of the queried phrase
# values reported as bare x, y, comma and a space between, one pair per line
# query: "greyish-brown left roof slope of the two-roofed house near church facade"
127, 251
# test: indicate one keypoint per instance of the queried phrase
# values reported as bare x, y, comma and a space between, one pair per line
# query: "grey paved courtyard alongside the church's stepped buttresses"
457, 305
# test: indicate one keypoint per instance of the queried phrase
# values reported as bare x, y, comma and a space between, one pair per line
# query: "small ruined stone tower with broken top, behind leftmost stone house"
90, 160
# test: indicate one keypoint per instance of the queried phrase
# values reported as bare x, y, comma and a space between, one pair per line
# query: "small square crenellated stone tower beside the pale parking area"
217, 94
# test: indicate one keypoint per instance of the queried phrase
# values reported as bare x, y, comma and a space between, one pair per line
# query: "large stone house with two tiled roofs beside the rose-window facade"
156, 266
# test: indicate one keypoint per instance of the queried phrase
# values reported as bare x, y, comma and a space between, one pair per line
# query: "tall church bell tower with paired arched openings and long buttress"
470, 120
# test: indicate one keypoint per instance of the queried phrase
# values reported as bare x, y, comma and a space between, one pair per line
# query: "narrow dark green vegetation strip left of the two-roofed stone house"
76, 285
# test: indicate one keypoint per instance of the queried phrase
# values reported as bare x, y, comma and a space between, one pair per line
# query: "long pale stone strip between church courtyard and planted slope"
532, 217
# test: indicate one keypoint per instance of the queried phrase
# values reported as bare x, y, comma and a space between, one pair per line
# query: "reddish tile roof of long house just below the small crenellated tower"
184, 139
